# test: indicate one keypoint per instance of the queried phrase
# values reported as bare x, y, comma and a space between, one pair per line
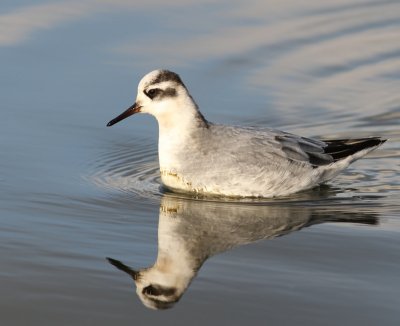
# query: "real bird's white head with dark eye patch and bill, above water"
162, 94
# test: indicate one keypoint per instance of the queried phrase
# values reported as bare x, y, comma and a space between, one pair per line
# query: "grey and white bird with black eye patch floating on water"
204, 158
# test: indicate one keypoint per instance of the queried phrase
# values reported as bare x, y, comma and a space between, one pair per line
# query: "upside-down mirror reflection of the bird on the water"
190, 231
